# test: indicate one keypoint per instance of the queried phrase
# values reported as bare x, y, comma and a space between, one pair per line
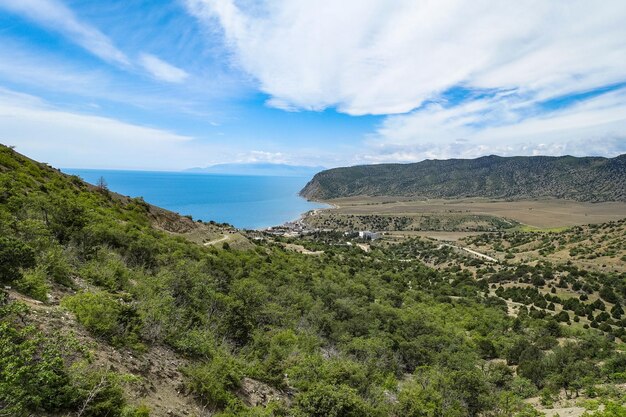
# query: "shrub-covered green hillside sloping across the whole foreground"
104, 312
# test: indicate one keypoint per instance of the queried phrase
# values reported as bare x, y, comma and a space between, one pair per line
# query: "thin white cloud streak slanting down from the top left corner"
57, 17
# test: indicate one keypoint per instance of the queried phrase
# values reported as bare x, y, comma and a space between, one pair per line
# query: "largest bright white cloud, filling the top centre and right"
381, 57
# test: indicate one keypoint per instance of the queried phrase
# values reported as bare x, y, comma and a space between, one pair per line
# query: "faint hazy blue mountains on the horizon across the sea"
260, 168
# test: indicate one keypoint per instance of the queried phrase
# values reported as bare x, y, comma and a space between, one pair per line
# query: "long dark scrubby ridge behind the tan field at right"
592, 179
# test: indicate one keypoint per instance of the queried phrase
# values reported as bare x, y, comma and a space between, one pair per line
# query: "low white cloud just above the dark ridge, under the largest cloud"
593, 127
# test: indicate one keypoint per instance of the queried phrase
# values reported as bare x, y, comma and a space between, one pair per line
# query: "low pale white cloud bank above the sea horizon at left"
62, 138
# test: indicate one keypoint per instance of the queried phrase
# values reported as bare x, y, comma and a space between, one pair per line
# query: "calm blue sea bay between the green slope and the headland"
249, 202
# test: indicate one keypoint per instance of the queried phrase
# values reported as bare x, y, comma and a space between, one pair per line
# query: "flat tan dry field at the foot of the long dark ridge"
540, 214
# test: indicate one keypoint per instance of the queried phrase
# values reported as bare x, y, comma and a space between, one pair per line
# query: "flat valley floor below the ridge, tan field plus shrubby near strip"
461, 215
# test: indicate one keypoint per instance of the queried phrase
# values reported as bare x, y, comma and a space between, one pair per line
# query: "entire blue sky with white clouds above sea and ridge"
170, 85
